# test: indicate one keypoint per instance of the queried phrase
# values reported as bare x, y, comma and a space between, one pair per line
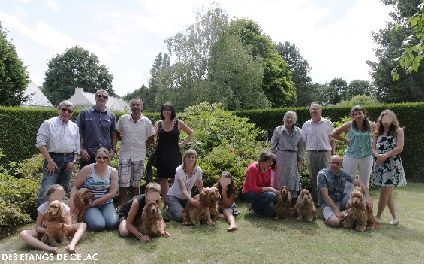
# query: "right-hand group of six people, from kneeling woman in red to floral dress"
372, 153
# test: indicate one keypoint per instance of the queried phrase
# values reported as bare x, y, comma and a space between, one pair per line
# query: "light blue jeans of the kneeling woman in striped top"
101, 216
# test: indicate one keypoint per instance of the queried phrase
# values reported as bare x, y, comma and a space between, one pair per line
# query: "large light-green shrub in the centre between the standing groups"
223, 141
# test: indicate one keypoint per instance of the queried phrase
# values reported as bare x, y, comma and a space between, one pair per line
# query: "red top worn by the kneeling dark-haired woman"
255, 179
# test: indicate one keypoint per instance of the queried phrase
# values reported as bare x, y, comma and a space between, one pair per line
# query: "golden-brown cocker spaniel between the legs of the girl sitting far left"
55, 214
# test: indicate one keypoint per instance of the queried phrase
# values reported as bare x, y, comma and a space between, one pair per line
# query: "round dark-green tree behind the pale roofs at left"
75, 67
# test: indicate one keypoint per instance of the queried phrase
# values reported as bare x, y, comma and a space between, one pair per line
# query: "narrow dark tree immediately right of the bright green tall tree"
300, 72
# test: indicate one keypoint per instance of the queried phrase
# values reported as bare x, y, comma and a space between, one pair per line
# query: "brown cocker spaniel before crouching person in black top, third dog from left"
151, 220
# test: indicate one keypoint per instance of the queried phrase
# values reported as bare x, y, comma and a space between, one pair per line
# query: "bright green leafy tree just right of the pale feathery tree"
277, 83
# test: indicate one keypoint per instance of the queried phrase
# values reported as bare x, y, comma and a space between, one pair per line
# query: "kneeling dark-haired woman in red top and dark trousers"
257, 188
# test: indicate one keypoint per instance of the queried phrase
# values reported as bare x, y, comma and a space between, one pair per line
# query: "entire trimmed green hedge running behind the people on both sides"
18, 128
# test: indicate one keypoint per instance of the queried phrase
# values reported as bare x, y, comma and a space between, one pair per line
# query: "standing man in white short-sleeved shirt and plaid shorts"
134, 129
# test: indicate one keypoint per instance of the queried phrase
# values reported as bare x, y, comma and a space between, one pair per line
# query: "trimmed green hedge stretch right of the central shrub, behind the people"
409, 115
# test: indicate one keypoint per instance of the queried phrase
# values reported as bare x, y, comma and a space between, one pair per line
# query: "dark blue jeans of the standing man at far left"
59, 176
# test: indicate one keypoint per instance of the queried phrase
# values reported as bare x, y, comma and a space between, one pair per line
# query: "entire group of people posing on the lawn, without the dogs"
95, 133
